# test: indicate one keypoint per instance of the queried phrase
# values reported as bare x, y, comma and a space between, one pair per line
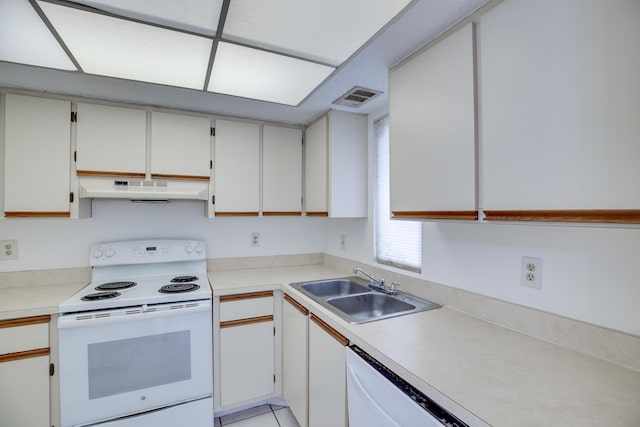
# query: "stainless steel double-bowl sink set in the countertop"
352, 299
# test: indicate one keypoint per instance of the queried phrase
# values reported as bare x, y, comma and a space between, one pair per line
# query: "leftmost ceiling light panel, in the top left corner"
25, 39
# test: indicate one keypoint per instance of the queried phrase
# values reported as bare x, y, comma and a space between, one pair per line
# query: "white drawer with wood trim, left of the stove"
24, 334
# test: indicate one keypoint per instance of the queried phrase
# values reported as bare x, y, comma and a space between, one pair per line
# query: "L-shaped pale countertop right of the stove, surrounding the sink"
484, 373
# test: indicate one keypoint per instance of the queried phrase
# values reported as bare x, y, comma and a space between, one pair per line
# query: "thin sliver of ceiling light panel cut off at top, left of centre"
200, 16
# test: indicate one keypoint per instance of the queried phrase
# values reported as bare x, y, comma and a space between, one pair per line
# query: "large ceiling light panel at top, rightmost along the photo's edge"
328, 31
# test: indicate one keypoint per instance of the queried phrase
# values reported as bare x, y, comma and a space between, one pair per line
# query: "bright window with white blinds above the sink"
398, 243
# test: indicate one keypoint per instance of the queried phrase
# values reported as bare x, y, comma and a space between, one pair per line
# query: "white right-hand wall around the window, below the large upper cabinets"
589, 273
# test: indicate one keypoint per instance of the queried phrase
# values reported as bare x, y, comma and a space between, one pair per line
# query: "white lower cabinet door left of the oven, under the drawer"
24, 392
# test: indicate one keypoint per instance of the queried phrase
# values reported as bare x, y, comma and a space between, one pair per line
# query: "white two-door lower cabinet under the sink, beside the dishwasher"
313, 368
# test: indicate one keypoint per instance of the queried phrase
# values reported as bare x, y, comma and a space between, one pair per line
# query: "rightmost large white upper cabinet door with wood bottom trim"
560, 108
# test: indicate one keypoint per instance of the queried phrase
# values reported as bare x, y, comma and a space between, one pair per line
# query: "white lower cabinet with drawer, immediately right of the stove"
245, 372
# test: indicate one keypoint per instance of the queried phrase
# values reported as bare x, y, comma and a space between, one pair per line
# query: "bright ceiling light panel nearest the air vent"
252, 73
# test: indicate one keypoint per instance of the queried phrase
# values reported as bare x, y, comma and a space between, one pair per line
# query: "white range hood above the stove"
142, 189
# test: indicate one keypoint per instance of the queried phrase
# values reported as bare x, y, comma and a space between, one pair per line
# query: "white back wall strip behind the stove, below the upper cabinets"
63, 243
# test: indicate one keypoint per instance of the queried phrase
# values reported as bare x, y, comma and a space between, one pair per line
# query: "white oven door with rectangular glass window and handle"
119, 362
